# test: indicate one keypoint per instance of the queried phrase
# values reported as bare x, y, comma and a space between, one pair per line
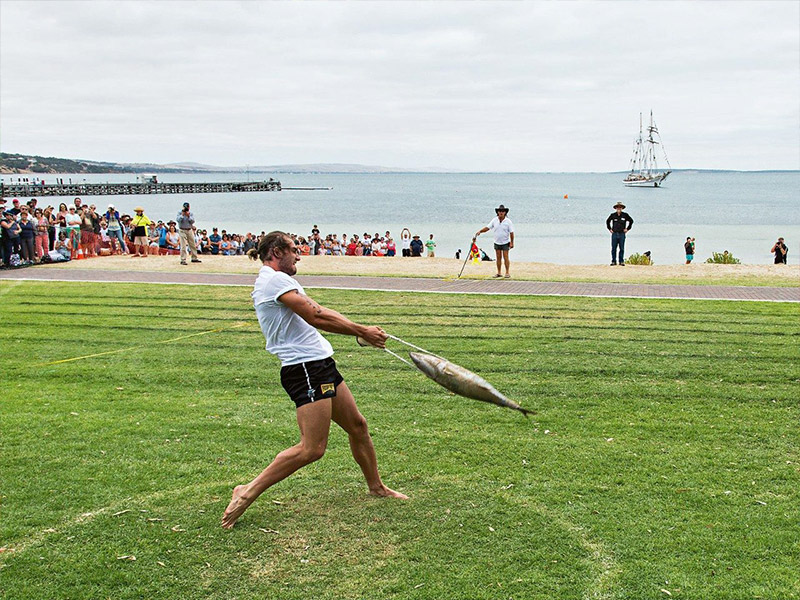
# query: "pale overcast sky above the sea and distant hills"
536, 86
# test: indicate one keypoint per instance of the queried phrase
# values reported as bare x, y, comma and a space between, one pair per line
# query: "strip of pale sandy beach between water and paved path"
442, 268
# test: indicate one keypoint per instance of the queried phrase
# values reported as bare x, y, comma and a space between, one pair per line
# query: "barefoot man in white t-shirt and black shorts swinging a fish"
288, 319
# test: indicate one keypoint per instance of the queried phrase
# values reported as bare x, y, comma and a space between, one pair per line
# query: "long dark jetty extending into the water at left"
35, 190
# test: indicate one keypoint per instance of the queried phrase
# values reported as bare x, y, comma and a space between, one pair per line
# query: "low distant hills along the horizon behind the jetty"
21, 163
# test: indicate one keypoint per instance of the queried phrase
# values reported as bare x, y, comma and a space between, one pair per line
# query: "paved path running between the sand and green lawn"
411, 284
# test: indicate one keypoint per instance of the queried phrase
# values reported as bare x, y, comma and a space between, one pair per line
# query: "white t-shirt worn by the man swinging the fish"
288, 336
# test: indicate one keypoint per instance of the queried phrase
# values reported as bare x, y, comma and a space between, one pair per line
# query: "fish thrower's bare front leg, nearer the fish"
347, 416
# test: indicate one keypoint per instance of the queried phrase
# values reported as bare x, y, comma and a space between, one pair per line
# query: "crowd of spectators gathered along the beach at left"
33, 235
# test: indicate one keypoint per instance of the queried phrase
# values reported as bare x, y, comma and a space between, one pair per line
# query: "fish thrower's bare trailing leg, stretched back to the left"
314, 420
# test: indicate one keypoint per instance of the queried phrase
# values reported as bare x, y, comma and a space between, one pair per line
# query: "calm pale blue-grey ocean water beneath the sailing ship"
558, 217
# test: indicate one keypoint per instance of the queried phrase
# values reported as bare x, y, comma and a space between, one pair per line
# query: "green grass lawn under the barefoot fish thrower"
663, 461
